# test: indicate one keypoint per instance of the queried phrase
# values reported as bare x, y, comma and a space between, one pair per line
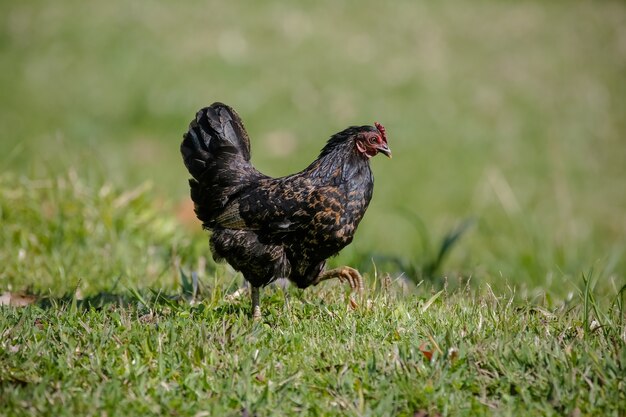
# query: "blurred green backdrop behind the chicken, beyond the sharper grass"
509, 113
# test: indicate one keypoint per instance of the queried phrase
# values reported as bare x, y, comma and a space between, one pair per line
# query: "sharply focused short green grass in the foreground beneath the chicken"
313, 356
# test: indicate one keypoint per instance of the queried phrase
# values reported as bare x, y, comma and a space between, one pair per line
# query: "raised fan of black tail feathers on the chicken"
216, 151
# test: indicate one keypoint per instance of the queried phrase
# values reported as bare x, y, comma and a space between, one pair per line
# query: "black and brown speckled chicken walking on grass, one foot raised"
269, 228
